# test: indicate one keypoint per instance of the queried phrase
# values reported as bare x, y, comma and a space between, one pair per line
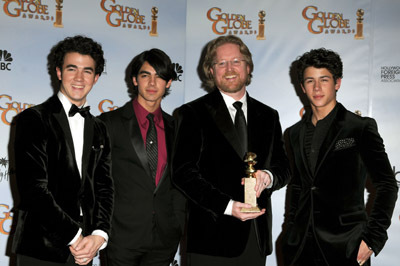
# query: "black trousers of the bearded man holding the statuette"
250, 256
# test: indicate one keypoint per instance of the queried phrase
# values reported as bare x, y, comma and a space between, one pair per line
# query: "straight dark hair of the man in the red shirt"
161, 63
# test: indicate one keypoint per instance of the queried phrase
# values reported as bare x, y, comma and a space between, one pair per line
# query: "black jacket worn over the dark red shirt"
140, 206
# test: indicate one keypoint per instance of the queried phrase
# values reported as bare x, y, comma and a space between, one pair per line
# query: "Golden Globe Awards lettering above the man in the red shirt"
123, 16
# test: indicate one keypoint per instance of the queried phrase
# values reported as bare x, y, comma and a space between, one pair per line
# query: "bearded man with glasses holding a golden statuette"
208, 163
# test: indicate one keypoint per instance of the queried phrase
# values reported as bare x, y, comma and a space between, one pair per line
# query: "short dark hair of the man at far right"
320, 58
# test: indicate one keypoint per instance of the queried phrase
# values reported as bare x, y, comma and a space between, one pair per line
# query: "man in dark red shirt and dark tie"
148, 221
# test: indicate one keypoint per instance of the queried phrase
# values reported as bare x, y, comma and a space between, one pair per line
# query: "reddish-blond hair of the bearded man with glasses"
211, 53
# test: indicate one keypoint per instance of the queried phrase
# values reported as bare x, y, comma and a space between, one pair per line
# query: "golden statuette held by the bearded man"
250, 183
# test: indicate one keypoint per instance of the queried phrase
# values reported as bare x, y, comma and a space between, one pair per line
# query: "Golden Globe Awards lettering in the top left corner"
28, 9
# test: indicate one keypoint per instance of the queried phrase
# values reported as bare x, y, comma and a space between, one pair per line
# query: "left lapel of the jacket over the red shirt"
132, 125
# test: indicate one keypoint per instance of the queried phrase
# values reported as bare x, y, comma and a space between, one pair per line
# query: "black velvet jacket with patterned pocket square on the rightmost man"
331, 201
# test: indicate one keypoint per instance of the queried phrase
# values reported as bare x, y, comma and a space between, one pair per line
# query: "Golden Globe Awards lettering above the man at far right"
326, 22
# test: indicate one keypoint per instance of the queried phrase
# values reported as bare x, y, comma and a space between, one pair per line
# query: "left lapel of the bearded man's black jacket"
220, 114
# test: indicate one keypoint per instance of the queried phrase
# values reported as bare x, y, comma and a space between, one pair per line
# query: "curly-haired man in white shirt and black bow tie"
62, 164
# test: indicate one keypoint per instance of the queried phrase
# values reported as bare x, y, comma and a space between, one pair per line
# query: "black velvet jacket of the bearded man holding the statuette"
208, 168
